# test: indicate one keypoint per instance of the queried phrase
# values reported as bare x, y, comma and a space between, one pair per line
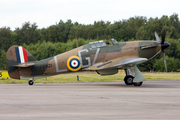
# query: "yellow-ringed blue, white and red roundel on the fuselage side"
73, 63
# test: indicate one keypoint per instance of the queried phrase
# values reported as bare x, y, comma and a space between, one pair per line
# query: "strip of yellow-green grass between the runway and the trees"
70, 78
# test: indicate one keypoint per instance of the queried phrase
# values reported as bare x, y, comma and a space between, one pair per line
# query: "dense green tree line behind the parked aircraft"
58, 38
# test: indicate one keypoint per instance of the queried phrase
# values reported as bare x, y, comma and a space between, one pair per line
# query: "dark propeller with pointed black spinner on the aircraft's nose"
164, 45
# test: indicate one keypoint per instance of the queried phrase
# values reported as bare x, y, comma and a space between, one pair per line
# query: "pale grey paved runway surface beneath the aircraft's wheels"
97, 100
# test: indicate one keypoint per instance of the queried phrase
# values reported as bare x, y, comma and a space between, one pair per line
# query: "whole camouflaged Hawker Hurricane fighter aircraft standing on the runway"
95, 56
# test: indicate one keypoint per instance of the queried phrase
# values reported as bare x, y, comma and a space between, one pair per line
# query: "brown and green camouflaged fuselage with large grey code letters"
90, 55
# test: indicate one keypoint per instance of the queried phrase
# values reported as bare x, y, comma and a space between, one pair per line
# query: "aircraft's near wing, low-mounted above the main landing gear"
122, 63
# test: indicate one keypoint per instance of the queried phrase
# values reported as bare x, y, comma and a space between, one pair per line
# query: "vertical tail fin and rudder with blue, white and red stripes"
17, 55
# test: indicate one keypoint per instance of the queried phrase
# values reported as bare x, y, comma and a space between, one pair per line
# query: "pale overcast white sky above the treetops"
13, 13
